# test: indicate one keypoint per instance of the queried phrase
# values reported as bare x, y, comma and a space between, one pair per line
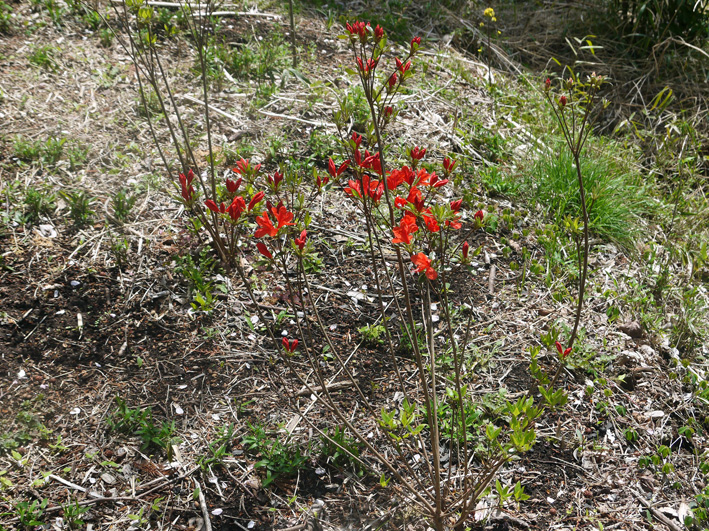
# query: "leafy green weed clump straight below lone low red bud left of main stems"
280, 459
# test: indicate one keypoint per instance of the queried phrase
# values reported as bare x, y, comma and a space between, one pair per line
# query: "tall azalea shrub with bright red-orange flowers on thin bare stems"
424, 436
